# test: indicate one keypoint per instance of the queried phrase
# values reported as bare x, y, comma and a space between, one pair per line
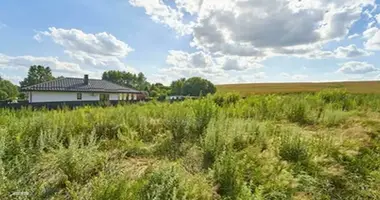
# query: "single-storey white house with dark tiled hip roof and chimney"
80, 90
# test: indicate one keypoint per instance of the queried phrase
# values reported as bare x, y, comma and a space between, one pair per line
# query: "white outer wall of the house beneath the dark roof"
61, 96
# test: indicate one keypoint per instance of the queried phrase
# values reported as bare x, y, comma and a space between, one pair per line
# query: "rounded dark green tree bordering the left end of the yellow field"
196, 86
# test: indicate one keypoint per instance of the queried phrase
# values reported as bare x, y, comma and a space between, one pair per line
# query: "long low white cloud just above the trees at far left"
24, 62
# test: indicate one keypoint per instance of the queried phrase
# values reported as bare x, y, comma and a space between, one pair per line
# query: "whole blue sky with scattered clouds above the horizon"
225, 41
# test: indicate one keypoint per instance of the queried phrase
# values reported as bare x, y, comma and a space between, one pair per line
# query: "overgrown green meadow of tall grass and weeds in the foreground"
297, 146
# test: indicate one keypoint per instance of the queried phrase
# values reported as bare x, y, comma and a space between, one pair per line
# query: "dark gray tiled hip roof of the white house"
77, 85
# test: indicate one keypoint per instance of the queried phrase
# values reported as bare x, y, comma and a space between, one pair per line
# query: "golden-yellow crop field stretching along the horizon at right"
266, 88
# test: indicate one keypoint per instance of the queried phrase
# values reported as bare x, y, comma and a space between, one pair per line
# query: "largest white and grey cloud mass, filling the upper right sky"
228, 31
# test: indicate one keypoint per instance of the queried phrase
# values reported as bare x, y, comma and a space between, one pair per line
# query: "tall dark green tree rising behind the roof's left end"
37, 74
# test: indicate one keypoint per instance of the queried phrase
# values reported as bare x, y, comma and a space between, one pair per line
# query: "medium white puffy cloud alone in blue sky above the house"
99, 50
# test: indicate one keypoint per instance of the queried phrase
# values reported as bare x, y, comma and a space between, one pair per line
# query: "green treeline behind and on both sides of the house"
194, 86
